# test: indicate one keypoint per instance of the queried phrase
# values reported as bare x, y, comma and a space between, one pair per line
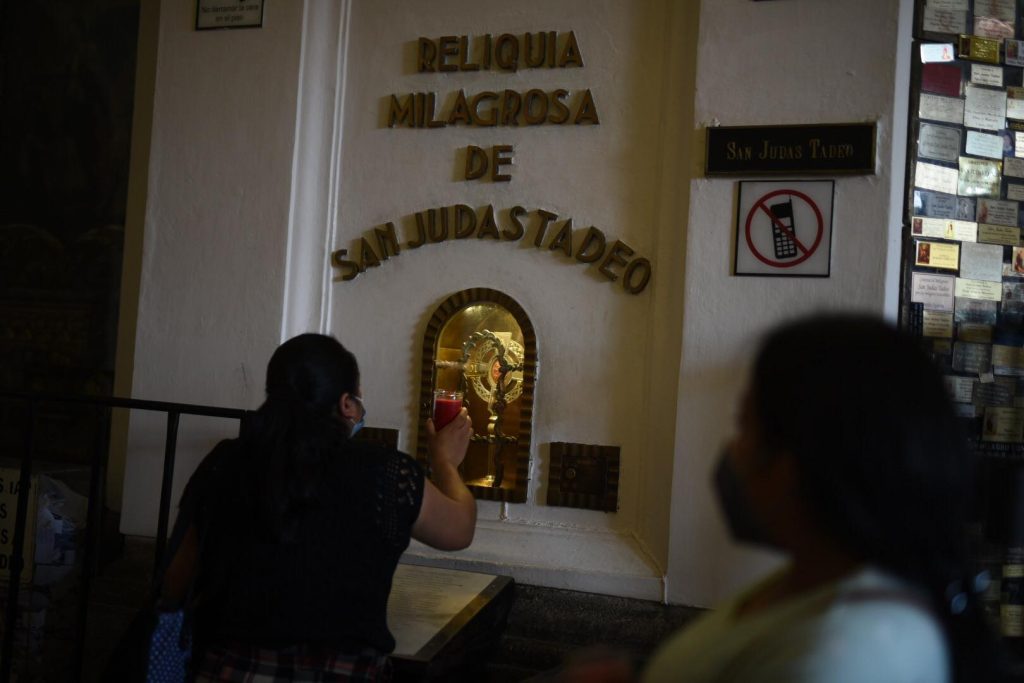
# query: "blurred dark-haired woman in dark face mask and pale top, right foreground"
848, 460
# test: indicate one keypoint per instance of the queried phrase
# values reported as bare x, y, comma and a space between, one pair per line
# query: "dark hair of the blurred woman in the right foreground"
882, 460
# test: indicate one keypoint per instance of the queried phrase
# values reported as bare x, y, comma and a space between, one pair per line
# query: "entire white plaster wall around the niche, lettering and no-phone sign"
235, 243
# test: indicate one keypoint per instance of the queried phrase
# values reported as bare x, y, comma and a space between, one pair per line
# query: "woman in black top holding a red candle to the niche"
296, 530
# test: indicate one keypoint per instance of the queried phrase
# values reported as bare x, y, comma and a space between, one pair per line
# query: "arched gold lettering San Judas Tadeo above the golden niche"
615, 261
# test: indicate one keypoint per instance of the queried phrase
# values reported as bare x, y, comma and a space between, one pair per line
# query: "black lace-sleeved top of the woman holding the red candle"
331, 585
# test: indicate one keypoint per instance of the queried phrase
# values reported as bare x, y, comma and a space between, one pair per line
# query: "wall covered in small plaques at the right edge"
963, 260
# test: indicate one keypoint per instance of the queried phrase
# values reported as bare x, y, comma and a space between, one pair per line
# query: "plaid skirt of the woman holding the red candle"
240, 663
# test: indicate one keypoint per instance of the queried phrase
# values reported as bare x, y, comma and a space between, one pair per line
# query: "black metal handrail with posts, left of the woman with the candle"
95, 513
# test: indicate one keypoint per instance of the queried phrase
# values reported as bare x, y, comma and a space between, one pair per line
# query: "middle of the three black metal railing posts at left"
94, 533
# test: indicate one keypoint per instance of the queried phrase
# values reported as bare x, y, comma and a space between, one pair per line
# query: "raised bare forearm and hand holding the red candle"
448, 515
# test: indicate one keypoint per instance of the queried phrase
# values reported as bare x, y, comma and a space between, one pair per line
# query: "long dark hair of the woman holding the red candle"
298, 429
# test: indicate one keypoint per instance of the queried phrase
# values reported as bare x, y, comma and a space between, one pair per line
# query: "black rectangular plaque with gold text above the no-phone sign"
821, 149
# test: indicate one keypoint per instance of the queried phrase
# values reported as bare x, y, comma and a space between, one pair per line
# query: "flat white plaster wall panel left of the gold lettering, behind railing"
212, 277
